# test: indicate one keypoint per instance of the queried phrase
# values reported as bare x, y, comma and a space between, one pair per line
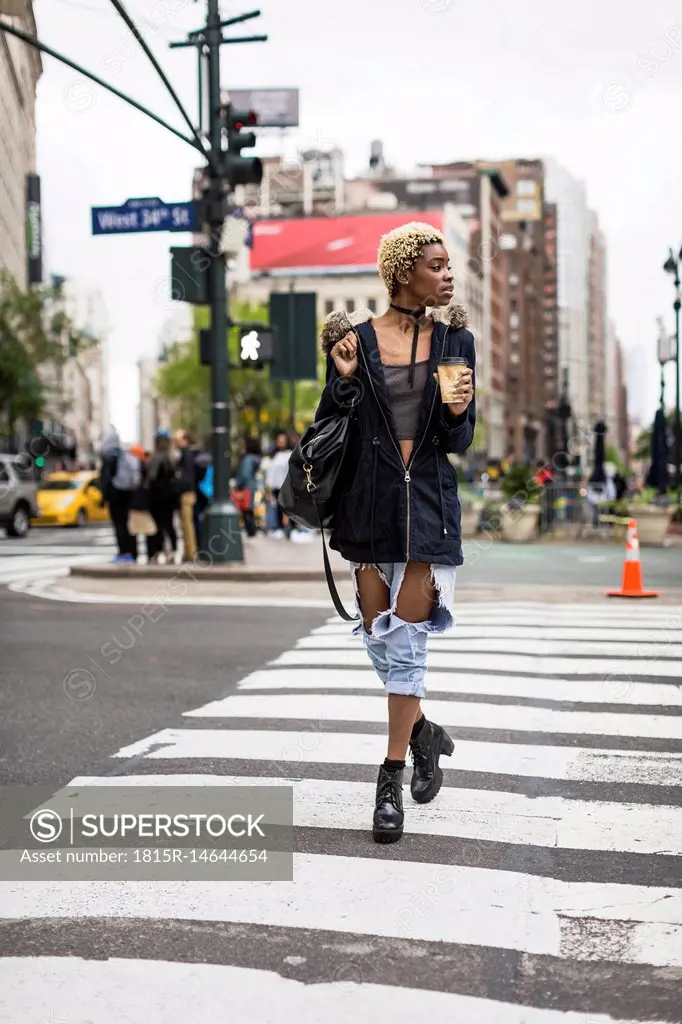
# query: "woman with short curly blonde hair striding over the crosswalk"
398, 522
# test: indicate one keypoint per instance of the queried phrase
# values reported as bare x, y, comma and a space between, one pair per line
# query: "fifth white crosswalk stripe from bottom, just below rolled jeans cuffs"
347, 708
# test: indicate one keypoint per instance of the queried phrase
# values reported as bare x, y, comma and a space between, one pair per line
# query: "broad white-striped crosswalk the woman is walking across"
543, 886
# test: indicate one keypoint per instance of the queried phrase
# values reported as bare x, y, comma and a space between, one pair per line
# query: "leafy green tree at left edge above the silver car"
32, 334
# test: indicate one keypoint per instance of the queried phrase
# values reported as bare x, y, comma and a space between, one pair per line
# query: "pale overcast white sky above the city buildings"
595, 83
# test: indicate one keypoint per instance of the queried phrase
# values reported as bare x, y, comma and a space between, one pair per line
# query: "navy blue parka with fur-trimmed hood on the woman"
390, 513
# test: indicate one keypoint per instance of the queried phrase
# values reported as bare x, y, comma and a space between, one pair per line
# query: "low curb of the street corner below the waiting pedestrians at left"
206, 574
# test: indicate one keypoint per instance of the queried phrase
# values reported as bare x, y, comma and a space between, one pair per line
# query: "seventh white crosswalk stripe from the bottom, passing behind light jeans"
505, 663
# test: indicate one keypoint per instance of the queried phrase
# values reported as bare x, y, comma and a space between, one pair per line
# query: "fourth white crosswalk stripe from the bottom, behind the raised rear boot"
312, 746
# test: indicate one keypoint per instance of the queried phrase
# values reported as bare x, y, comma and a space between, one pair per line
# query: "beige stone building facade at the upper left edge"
21, 69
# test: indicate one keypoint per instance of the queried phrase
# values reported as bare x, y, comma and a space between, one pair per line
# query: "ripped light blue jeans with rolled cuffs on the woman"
397, 649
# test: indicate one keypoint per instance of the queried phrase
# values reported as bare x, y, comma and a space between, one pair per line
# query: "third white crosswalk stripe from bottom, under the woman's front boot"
476, 815
